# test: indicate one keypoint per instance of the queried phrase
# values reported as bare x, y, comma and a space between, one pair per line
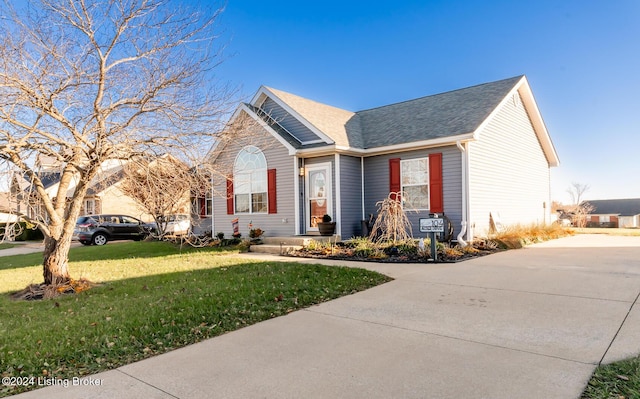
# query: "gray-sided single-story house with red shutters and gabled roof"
477, 154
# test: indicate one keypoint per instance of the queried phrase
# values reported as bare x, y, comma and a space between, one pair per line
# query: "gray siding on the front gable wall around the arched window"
281, 223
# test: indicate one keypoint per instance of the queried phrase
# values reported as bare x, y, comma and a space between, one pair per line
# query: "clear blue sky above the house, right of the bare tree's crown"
582, 59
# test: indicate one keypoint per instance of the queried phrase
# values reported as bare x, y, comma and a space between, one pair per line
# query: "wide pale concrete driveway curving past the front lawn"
530, 323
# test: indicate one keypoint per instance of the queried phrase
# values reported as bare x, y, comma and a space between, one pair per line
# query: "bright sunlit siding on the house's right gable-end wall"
508, 172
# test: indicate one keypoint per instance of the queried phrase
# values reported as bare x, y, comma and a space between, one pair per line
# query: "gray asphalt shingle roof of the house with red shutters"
437, 116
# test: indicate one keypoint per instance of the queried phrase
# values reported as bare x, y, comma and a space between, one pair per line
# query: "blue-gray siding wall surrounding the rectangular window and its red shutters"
376, 184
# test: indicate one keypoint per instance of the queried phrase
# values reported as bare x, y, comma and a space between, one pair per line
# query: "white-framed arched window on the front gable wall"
250, 181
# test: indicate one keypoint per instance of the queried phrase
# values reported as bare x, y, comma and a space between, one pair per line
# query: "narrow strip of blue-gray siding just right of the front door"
351, 197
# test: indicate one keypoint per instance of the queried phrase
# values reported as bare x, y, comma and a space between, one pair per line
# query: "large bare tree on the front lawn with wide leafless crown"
89, 81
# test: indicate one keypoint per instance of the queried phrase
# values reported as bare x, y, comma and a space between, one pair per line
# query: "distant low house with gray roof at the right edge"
614, 213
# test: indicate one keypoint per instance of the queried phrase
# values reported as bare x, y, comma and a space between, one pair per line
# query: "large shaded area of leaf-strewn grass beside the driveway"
128, 320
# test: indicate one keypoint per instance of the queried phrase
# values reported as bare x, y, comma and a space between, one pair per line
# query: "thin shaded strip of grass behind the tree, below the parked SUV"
111, 251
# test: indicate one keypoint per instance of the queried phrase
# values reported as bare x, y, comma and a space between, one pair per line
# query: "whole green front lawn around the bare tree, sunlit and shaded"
153, 298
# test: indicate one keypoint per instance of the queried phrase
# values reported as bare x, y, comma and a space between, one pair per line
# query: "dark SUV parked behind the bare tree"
99, 229
